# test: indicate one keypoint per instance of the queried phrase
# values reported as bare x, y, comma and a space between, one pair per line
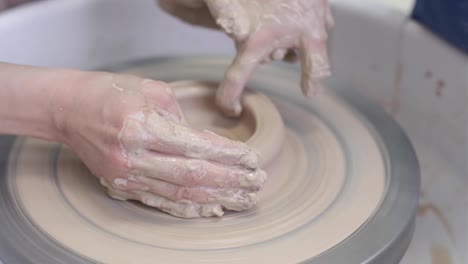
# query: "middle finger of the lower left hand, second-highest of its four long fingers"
194, 172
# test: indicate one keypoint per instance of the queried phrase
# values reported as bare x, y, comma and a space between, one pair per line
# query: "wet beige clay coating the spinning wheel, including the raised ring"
326, 178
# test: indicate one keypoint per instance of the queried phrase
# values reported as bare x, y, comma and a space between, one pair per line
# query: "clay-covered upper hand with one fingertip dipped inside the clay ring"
264, 30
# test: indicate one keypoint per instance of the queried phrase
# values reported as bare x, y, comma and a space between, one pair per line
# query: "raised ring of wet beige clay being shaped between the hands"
260, 119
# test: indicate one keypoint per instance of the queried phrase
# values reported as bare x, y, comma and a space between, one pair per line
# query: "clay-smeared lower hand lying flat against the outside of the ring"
131, 133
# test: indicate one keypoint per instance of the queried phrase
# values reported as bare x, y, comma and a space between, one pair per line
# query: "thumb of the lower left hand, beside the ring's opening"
161, 95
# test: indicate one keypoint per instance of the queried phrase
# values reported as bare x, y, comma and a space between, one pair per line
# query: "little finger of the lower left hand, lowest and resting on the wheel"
184, 209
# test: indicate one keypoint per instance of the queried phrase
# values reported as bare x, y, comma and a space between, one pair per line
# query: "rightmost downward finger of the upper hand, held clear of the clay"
315, 65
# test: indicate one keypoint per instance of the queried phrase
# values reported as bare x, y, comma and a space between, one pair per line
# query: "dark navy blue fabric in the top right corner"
446, 18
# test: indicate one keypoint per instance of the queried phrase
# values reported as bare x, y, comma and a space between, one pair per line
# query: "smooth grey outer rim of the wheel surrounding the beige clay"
383, 239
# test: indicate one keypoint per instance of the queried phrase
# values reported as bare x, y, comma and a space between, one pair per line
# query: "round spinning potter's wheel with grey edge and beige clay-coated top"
343, 189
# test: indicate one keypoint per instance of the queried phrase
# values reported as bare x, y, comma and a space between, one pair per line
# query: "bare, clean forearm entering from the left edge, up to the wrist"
31, 101
